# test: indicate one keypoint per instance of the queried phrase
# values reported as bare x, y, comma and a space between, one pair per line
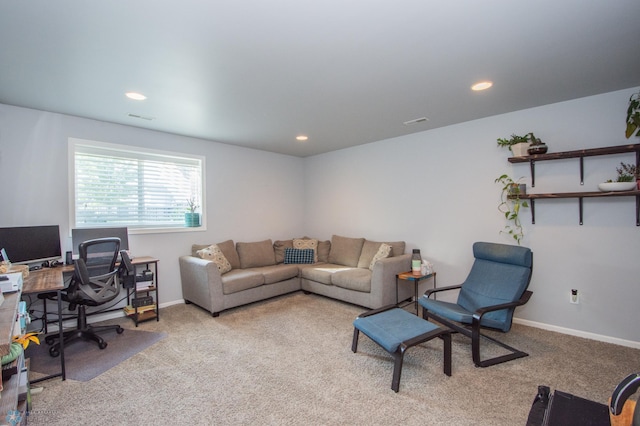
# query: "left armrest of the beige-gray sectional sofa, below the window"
201, 283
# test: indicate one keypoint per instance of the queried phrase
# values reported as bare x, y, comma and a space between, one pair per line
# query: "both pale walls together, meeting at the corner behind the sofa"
434, 189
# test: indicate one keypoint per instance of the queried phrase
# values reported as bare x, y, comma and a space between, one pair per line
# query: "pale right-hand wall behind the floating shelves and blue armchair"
436, 191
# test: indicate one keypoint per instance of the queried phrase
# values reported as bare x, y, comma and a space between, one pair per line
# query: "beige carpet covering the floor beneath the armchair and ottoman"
288, 361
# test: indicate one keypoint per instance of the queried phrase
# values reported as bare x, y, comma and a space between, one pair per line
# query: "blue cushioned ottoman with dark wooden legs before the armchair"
396, 330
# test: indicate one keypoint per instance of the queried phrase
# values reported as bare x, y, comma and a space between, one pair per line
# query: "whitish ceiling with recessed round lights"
256, 73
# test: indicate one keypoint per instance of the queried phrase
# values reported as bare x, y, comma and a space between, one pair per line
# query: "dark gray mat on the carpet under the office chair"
84, 360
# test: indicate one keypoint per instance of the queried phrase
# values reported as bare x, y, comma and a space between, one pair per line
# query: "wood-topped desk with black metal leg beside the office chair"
44, 281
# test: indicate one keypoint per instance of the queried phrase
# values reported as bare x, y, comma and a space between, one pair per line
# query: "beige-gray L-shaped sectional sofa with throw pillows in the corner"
355, 270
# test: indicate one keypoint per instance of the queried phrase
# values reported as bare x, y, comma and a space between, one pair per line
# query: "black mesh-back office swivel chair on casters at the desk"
95, 281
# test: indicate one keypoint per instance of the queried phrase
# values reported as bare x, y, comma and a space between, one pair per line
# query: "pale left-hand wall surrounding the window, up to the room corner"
251, 194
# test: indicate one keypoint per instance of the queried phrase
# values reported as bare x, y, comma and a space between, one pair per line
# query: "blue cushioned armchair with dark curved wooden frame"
495, 286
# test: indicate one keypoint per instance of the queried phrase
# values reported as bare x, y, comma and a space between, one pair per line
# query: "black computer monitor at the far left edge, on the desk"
31, 244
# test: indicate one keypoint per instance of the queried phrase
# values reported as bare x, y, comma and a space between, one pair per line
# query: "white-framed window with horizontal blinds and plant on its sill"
116, 185
